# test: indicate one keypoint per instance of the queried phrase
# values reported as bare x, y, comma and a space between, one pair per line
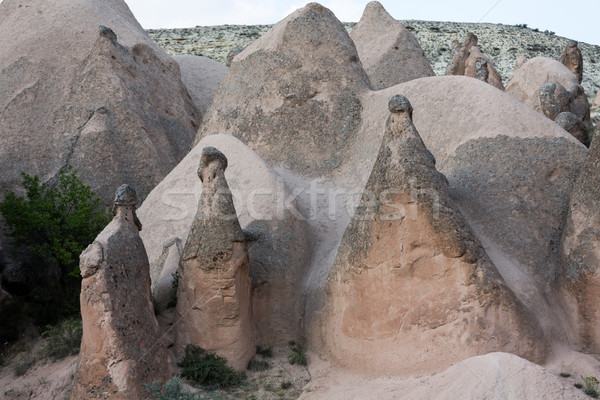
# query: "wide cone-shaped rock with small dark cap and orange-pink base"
411, 288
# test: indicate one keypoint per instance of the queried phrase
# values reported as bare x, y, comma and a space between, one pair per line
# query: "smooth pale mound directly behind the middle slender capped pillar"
266, 207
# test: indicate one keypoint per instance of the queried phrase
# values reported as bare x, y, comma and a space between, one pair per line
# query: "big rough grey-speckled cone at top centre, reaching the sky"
301, 77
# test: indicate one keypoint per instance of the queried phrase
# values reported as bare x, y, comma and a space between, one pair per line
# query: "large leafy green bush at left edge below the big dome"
54, 224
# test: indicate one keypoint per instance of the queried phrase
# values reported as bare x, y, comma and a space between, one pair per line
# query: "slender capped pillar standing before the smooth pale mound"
214, 292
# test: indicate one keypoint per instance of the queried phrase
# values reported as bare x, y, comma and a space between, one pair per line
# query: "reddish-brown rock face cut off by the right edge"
580, 253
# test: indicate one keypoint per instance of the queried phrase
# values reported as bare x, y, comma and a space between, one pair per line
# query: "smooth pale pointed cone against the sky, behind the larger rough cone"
389, 53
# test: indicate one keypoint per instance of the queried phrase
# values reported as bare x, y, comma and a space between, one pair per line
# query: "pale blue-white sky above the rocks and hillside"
578, 20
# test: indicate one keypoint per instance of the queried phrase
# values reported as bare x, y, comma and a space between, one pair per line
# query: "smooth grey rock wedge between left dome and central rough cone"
201, 76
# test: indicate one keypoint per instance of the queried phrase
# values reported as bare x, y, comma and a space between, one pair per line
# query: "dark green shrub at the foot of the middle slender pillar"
205, 368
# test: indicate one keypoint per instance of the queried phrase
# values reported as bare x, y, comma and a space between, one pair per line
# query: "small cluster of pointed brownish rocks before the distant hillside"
470, 61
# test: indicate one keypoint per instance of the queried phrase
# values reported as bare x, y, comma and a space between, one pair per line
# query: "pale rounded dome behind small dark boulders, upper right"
536, 72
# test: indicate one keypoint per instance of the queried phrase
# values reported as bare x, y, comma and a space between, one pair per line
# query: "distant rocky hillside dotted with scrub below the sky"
501, 43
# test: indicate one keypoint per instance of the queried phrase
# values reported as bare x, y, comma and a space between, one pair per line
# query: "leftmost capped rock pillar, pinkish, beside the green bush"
121, 348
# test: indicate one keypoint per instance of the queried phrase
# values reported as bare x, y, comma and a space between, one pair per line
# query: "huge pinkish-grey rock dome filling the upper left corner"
118, 110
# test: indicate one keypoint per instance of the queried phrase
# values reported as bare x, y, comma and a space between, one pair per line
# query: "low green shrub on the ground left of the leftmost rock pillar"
62, 340
